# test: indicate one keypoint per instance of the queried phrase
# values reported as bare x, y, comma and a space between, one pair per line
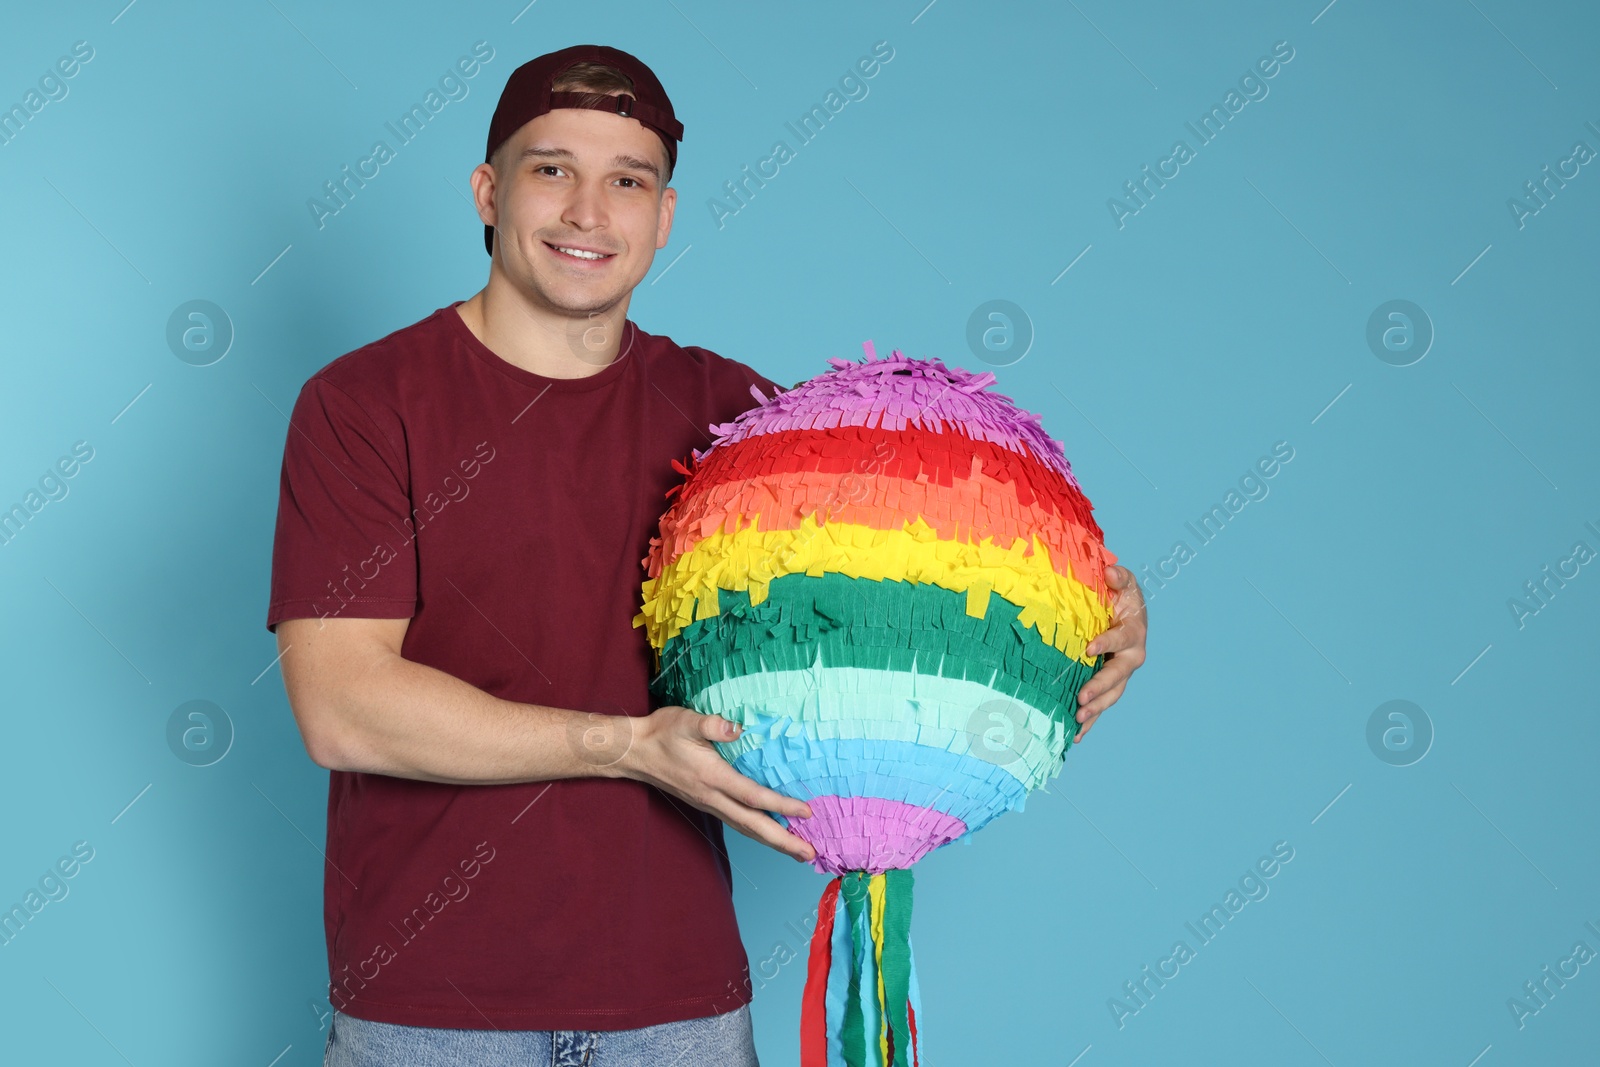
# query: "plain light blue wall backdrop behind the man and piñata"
1226, 316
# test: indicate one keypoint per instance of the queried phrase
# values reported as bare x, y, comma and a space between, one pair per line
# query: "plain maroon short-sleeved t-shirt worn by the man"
506, 516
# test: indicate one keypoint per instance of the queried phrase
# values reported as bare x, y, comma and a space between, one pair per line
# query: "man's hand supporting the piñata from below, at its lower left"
673, 751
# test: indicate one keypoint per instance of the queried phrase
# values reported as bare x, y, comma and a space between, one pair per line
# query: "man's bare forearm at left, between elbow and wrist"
406, 719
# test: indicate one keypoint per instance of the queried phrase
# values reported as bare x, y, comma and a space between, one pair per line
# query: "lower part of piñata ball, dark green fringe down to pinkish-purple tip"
887, 693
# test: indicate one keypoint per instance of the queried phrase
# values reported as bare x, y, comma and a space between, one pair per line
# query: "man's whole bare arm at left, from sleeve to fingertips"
362, 706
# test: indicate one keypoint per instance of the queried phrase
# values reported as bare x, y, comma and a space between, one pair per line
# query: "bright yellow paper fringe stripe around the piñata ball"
1066, 613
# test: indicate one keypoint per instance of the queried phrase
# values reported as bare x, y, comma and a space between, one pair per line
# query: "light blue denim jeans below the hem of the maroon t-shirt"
724, 1041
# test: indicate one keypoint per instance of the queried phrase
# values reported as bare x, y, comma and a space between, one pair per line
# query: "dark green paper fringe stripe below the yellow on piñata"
863, 623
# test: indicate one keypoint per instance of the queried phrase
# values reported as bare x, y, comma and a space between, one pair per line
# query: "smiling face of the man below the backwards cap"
586, 182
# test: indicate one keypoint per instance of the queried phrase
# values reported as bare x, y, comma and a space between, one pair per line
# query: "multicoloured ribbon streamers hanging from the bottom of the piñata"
862, 999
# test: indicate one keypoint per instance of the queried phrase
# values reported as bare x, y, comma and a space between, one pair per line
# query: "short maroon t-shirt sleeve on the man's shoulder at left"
343, 543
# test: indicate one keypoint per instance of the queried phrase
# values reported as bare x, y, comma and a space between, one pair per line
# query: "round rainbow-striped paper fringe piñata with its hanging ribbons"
889, 575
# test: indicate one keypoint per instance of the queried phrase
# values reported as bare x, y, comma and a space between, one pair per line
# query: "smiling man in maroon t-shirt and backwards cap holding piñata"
526, 861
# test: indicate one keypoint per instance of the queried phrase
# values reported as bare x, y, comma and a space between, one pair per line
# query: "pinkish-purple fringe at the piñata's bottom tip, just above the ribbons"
873, 834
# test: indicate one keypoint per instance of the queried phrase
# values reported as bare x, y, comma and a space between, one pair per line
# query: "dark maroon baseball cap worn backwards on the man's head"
527, 97
